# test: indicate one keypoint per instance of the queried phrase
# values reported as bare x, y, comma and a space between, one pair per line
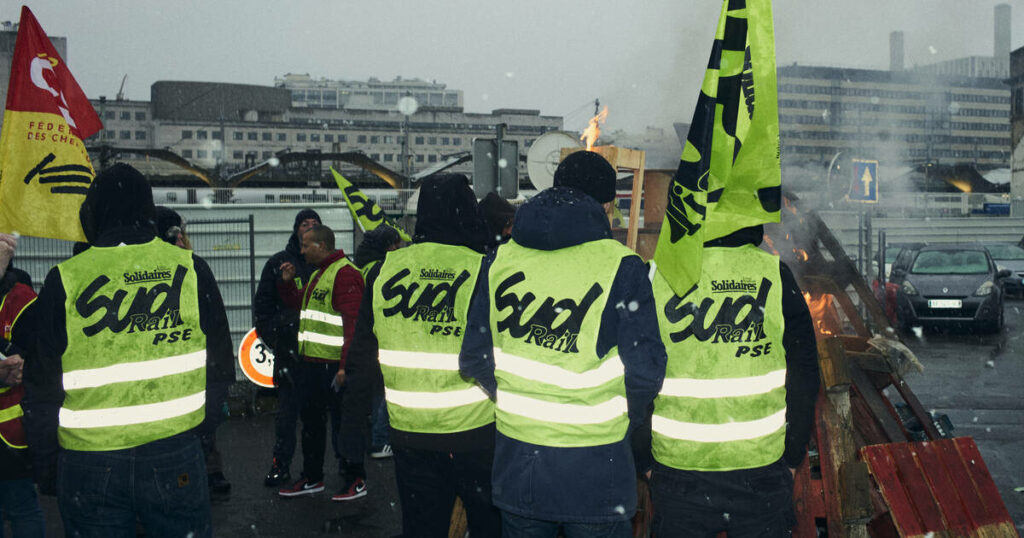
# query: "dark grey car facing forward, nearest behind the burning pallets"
952, 285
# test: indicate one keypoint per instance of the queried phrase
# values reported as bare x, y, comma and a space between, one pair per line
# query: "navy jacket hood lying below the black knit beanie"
560, 218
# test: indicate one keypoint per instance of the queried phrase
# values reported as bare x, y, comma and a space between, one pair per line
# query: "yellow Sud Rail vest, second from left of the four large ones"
421, 301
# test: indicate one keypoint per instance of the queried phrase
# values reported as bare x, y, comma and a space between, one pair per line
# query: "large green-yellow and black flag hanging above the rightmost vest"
729, 178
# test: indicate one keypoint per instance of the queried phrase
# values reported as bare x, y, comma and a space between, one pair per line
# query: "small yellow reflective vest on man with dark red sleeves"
322, 330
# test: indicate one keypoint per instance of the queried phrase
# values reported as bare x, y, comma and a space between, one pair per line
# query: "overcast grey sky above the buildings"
644, 59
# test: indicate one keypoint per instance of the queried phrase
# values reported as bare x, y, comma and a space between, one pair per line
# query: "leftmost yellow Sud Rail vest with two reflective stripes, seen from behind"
135, 369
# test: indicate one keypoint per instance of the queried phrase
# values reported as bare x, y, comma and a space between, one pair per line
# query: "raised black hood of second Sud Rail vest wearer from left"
447, 214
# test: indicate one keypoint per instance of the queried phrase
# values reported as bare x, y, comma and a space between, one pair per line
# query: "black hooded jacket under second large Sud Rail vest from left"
446, 214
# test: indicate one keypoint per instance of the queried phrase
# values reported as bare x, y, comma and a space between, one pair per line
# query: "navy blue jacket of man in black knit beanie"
588, 484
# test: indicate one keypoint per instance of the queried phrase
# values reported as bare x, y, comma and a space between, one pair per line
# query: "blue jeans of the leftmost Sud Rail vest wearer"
163, 484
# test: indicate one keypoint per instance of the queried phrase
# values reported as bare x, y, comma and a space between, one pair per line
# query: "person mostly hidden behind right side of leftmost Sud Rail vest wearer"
172, 229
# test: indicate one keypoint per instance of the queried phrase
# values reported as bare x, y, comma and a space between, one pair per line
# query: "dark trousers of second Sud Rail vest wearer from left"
429, 483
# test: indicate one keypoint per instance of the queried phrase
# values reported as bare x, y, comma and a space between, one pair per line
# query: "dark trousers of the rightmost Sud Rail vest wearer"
743, 504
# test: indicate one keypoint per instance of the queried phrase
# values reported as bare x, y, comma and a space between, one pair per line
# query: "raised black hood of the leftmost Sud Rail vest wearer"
119, 197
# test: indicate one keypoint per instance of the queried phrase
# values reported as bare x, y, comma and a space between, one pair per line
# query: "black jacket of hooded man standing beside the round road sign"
278, 325
